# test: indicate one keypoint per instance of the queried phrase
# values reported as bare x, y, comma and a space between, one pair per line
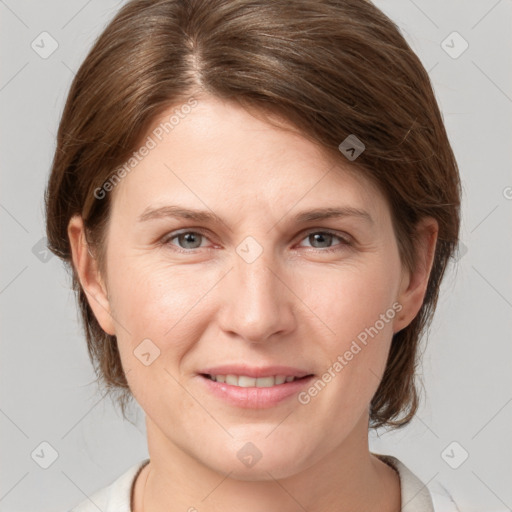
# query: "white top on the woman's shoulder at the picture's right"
418, 496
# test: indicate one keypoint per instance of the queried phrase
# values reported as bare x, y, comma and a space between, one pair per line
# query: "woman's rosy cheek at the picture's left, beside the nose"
159, 303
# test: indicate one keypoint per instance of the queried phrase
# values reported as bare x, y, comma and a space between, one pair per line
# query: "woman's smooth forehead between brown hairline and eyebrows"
219, 156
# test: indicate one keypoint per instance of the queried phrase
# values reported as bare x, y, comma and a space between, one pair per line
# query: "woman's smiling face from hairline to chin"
252, 282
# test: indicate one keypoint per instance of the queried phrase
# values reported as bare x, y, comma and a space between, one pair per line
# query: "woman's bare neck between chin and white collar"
348, 478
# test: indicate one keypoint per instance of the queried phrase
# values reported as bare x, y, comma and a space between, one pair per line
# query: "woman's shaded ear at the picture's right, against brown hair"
413, 285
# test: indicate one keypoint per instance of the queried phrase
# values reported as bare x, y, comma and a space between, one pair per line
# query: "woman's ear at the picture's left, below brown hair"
88, 272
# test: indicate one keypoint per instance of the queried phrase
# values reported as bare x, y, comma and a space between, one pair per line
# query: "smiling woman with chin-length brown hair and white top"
258, 201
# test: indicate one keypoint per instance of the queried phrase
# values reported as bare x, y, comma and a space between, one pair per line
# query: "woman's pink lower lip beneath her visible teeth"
254, 397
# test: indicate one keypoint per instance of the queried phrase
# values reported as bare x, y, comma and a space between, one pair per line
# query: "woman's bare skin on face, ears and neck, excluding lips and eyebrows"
296, 304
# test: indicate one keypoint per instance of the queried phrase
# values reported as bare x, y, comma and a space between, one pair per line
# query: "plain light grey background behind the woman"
47, 383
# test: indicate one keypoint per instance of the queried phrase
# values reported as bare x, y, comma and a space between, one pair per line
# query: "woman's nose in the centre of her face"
257, 303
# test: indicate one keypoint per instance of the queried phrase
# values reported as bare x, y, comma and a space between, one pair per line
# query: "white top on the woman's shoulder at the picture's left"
116, 496
